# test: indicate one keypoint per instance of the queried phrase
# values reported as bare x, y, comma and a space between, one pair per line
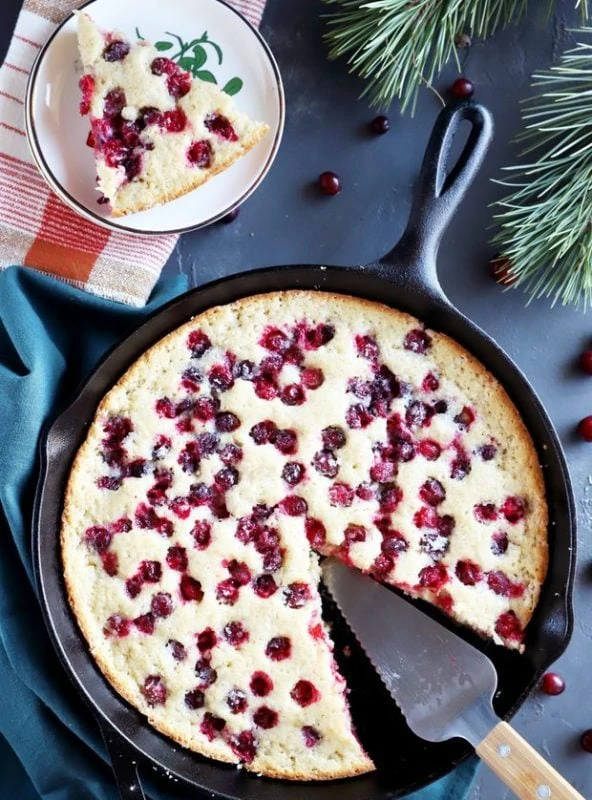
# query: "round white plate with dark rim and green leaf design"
234, 52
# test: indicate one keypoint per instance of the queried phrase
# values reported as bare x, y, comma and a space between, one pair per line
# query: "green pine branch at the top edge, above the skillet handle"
396, 45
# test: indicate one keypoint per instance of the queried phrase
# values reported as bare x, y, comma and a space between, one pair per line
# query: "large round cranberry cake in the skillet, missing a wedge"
240, 449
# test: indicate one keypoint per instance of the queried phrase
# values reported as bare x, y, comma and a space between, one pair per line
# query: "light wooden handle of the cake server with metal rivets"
521, 768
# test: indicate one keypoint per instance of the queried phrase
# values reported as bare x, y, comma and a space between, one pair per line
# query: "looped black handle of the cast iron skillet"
438, 193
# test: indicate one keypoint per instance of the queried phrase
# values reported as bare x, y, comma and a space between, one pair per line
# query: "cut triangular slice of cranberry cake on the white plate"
157, 133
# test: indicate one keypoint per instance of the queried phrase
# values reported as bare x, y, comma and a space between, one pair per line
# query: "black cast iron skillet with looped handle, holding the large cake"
406, 279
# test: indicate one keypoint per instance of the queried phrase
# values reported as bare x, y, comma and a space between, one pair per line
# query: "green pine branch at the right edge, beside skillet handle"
545, 221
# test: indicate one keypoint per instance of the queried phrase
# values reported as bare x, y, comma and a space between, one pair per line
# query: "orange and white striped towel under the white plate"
36, 228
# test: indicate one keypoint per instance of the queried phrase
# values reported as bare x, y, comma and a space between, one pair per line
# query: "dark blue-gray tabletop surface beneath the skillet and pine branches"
287, 222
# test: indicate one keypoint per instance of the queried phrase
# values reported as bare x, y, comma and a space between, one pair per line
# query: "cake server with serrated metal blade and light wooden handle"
443, 685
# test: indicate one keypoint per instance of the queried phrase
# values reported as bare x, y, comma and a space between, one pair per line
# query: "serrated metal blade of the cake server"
443, 685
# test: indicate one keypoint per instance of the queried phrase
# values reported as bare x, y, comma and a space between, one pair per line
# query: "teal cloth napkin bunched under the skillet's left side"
51, 335
